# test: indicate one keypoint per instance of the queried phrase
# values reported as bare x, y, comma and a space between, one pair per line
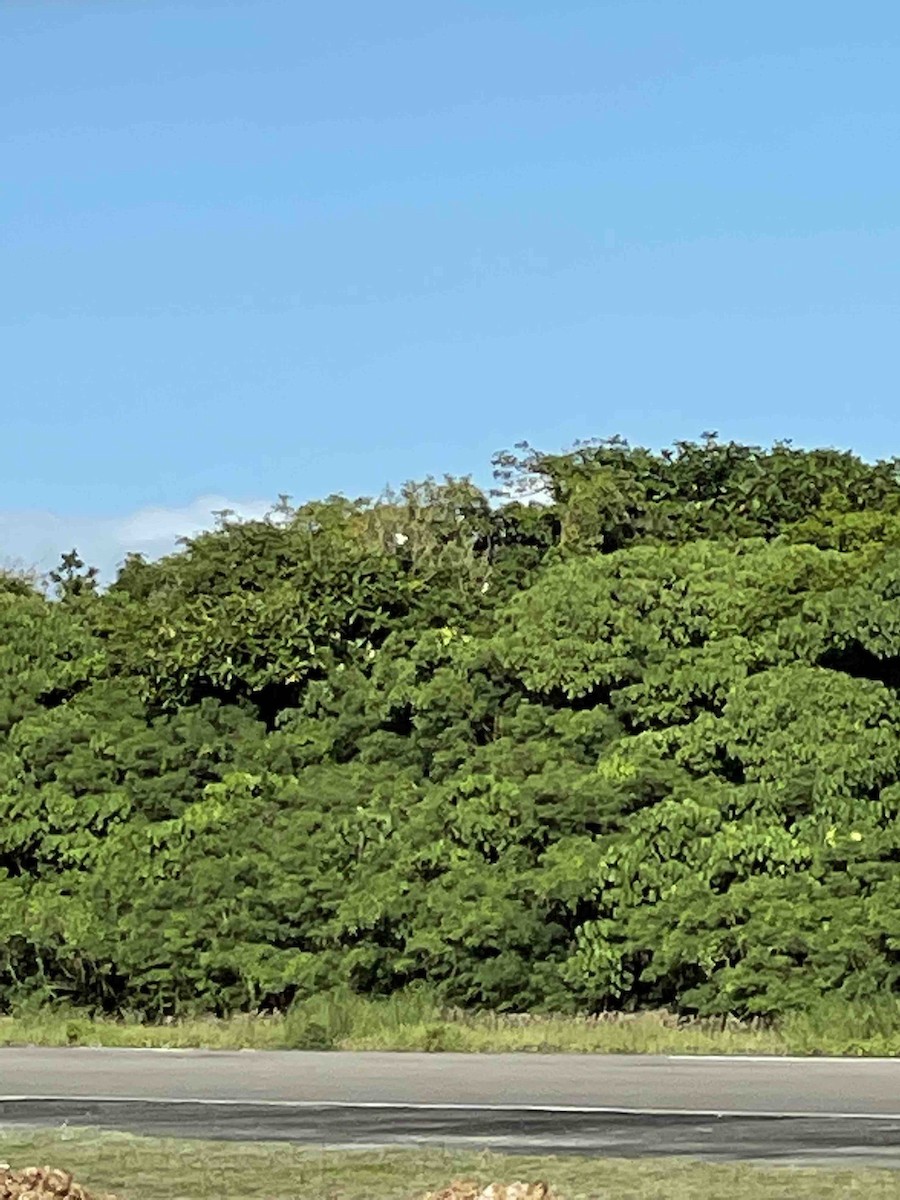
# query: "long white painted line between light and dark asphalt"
400, 1107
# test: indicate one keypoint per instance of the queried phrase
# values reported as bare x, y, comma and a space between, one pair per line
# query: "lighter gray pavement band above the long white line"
609, 1082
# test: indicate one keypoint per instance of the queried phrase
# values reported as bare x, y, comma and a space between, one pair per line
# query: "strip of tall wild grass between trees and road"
415, 1022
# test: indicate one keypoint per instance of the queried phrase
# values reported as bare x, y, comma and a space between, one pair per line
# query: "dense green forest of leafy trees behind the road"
621, 733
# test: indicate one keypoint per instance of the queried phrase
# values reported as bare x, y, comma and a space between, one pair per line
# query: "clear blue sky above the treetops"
274, 247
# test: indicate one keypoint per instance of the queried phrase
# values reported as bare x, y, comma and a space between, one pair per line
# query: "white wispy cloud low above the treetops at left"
37, 539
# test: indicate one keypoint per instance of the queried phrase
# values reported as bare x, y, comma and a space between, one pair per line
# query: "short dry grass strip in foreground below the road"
157, 1169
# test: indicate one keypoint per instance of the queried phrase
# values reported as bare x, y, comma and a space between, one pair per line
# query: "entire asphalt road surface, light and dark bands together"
775, 1109
